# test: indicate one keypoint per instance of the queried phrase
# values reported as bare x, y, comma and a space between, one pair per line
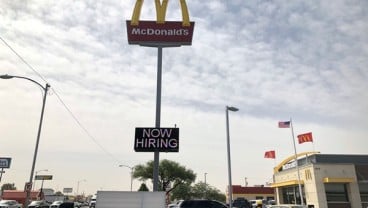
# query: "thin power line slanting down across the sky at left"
63, 103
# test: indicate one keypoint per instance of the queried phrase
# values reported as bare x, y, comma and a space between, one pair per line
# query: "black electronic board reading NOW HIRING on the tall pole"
156, 139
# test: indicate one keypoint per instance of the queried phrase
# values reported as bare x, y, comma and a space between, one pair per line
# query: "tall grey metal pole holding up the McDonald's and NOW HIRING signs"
156, 162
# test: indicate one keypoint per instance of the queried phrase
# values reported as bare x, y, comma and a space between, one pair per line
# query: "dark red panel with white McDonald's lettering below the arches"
152, 34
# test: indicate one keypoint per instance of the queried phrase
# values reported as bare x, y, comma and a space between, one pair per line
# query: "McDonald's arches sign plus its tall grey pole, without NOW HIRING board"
160, 34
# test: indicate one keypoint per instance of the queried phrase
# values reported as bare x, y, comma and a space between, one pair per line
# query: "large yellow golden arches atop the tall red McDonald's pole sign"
161, 8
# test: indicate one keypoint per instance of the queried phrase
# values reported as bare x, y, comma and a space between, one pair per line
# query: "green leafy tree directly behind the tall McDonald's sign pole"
170, 174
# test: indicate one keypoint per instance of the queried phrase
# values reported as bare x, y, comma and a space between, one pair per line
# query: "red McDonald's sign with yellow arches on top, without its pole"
160, 32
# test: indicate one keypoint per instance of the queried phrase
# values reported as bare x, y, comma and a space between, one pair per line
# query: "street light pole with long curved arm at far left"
39, 129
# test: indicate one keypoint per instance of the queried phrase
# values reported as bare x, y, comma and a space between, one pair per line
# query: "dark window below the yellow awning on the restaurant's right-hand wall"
336, 192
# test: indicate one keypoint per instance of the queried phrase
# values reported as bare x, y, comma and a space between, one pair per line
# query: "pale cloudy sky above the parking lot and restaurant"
274, 60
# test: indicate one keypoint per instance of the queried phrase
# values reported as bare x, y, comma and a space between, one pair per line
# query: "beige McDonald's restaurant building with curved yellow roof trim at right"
326, 180
